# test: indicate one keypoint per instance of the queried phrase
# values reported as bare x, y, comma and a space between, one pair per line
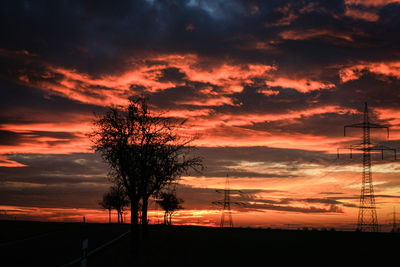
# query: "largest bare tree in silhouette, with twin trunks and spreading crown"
143, 149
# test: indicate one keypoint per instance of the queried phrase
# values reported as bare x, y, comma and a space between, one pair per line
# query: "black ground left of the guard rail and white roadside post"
50, 244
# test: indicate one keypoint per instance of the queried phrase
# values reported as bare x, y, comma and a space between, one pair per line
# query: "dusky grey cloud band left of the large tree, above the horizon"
54, 181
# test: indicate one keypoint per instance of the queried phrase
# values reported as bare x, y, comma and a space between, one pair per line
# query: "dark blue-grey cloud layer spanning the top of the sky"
102, 34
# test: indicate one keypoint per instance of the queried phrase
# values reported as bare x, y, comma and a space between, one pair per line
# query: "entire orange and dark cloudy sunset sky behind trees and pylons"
266, 85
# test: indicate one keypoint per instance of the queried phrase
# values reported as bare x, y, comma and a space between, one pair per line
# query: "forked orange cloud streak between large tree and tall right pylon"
227, 130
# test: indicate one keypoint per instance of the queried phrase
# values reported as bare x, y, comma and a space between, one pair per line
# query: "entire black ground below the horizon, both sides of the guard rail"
54, 244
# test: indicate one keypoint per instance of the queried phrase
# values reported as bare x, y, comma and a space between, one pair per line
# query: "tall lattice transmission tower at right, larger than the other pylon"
367, 218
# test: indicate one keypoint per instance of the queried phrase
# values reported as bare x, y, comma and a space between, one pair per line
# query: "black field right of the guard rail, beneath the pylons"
210, 246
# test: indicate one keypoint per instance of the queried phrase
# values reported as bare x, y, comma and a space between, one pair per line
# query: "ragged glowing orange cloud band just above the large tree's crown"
114, 89
